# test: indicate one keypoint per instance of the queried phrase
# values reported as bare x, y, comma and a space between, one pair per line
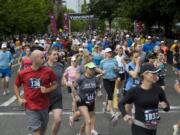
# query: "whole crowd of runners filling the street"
131, 69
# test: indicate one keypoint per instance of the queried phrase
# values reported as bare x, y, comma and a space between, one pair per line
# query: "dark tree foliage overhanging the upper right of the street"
152, 12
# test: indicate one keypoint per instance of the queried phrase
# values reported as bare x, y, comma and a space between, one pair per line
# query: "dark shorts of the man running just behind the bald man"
56, 103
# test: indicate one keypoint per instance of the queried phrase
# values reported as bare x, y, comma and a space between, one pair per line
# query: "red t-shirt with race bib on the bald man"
31, 81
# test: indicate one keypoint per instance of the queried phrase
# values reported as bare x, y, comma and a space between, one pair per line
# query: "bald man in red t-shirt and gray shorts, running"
37, 81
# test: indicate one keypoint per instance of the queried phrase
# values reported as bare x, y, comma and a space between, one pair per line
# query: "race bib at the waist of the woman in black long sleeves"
151, 118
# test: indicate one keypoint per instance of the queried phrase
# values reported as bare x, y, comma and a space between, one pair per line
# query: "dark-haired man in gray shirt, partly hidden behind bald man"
55, 96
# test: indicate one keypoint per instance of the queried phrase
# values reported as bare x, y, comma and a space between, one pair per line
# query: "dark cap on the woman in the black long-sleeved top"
148, 68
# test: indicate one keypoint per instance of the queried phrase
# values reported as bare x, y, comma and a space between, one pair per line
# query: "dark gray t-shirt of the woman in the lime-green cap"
87, 88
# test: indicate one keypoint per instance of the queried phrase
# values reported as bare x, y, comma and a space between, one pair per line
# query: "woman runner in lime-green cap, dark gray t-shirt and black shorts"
85, 98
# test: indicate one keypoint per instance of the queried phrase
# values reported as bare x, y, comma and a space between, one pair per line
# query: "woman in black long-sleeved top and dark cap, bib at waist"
146, 98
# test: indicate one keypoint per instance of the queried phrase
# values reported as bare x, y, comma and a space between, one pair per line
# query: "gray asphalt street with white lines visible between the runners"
13, 118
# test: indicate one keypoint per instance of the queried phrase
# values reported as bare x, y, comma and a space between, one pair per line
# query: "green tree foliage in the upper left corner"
24, 16
